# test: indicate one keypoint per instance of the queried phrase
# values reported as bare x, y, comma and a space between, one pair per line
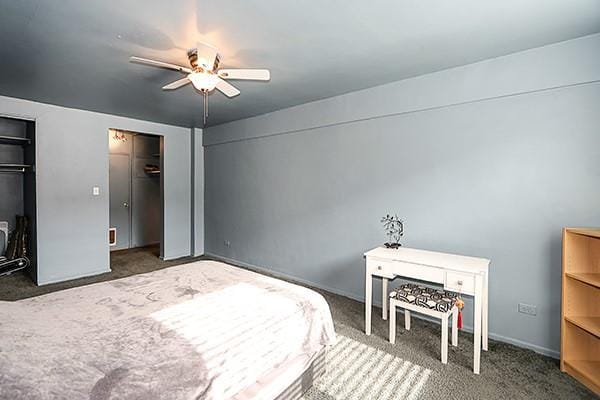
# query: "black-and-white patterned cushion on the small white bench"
434, 299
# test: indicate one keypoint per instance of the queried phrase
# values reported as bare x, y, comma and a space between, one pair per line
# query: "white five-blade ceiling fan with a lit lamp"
204, 74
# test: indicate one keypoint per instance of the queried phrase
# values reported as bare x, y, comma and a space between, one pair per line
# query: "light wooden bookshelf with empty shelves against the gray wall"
580, 322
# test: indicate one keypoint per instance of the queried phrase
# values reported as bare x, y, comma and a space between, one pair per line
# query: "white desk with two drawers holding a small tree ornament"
467, 275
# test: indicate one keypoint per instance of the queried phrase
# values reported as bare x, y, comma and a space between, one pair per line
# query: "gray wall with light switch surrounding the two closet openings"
72, 157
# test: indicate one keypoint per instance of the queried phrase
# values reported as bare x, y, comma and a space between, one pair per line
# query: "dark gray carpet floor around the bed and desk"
369, 367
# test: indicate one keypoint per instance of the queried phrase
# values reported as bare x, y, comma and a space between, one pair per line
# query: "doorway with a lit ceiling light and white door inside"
135, 188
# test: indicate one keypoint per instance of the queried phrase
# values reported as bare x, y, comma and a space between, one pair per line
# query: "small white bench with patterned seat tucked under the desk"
429, 301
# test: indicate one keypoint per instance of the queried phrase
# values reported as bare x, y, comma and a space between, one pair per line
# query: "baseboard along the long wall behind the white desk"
501, 338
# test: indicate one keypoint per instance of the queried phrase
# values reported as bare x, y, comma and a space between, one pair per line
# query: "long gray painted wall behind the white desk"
491, 159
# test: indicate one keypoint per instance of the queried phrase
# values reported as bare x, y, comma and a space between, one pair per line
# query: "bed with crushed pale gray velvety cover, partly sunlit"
205, 330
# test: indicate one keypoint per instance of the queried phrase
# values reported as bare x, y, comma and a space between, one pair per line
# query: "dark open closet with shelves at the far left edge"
18, 245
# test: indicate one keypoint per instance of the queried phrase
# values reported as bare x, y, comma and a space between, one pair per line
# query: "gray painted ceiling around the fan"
75, 52
